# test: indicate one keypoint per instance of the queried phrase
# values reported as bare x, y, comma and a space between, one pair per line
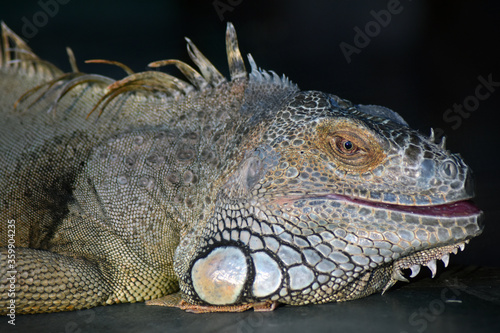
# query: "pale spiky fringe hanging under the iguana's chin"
427, 258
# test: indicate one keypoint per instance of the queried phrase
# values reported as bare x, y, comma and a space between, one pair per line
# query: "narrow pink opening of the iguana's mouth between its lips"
463, 208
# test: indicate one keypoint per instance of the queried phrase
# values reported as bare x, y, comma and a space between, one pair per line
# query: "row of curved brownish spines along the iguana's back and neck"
207, 76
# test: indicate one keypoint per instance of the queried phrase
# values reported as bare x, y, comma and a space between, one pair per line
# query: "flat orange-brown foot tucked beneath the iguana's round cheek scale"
176, 301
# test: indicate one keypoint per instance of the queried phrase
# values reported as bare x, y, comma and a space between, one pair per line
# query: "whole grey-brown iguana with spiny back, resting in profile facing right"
211, 194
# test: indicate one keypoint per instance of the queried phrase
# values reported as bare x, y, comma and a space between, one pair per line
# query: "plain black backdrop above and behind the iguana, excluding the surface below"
427, 58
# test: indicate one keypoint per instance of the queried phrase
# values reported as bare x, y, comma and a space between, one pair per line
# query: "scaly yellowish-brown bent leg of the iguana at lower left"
49, 282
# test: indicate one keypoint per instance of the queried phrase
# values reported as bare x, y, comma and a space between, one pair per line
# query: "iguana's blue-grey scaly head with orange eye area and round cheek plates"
329, 201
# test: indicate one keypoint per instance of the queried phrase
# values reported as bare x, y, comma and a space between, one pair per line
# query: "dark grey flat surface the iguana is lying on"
461, 299
